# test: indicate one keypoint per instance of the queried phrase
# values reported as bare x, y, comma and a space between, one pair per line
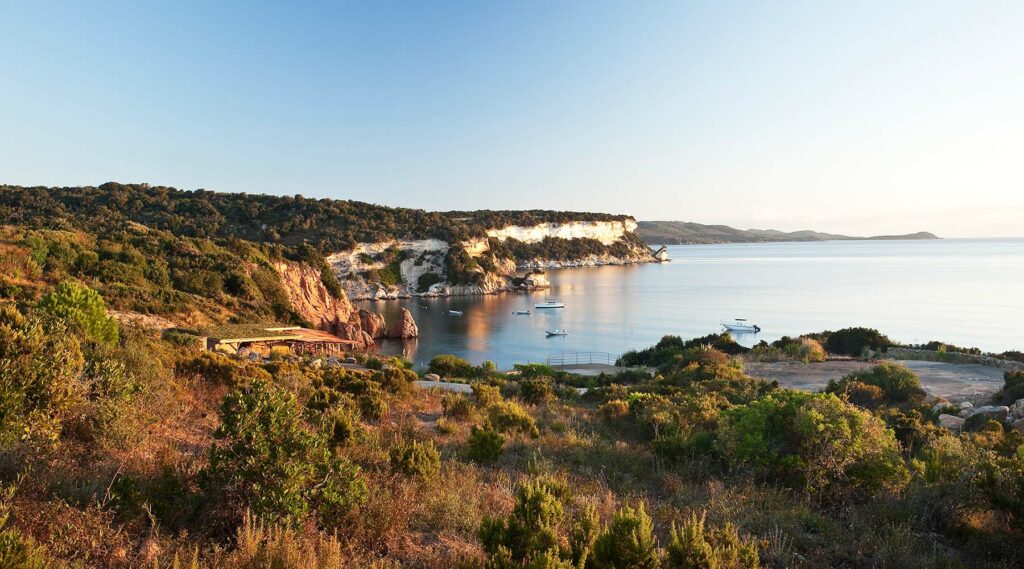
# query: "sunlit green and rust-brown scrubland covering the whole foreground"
124, 449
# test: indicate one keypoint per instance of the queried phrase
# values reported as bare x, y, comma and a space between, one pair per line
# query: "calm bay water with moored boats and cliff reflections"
967, 292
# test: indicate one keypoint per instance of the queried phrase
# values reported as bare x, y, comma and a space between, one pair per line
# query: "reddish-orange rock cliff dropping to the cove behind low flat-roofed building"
311, 300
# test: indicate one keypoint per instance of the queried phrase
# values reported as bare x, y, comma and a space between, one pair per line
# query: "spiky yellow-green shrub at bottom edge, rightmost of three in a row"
693, 548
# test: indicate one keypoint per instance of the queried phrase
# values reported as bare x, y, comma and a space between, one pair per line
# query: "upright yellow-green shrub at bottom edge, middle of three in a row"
628, 542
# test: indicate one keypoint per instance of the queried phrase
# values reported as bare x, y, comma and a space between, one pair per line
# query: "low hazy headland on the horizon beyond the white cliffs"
678, 233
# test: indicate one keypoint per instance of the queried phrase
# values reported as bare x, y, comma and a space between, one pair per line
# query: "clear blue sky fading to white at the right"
860, 118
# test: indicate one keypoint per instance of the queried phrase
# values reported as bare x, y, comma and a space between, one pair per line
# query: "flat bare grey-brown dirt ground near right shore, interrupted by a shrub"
957, 382
